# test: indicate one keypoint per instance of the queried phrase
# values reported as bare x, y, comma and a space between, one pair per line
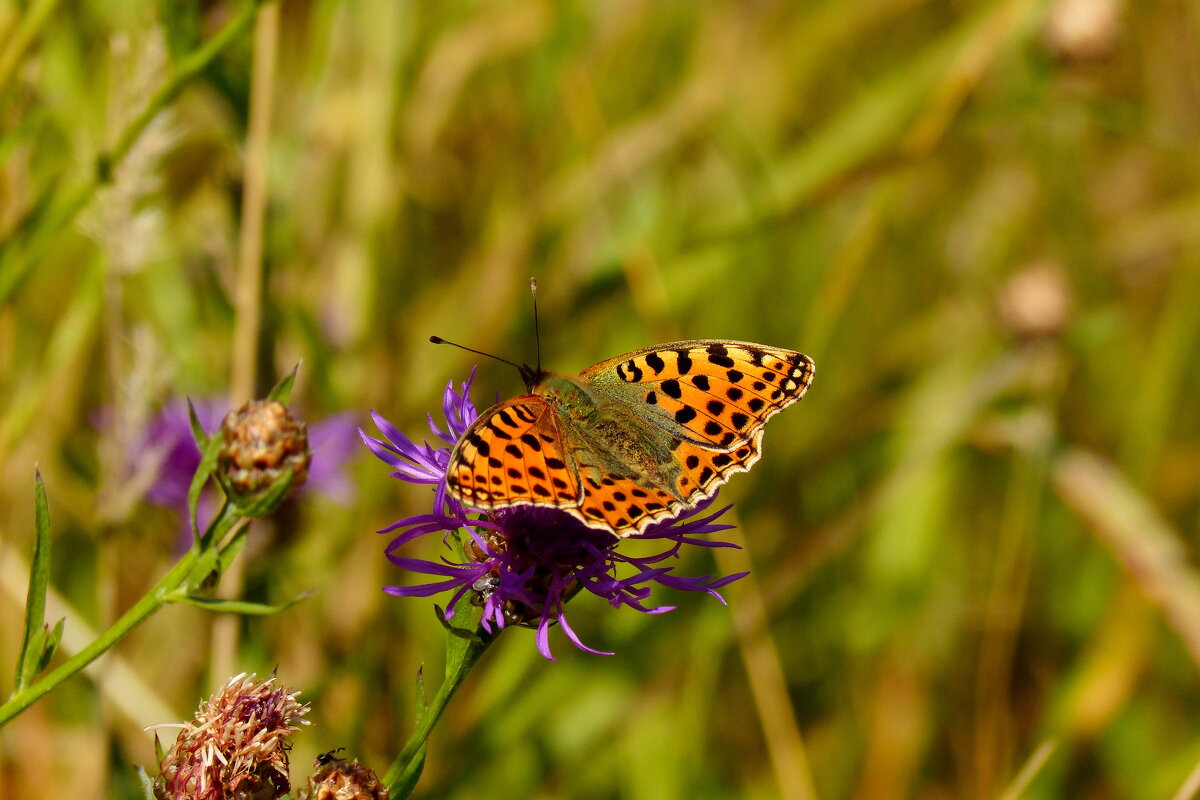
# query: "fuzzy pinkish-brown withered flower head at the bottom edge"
236, 748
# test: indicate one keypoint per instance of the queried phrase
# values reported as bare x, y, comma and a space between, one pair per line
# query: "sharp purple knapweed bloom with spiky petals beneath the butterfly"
523, 564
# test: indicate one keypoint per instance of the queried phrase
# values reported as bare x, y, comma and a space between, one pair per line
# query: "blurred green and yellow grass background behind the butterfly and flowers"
971, 542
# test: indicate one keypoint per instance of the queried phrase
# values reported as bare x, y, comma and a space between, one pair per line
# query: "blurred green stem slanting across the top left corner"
107, 163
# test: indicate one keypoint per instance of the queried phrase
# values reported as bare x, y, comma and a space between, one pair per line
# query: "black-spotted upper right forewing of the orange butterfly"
712, 393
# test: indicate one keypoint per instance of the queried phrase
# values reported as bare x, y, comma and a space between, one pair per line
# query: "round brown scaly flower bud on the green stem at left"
262, 442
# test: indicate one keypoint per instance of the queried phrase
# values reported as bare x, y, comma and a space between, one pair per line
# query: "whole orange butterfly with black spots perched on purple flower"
632, 441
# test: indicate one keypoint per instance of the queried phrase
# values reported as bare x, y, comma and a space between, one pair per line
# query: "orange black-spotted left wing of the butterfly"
513, 455
